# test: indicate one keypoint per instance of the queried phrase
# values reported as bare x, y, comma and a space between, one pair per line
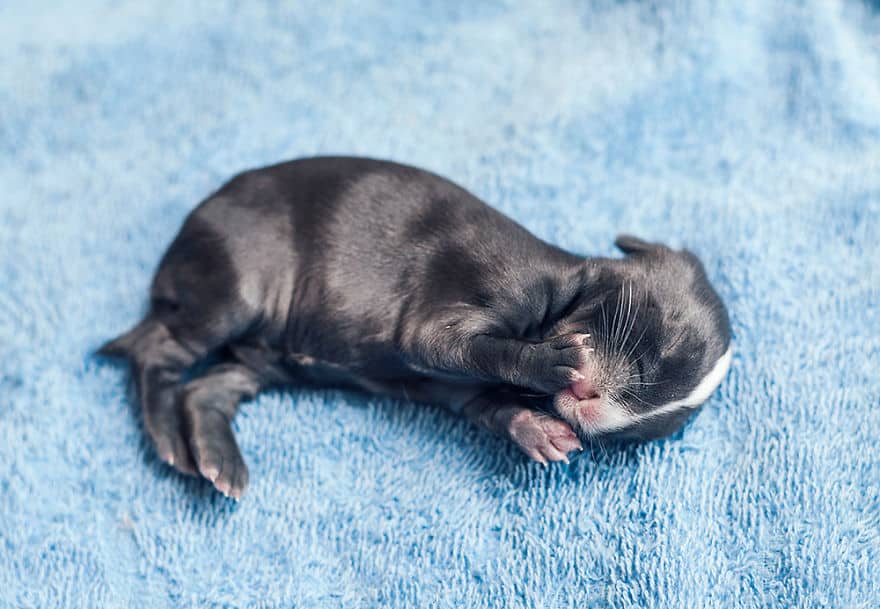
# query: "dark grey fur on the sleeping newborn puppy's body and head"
374, 275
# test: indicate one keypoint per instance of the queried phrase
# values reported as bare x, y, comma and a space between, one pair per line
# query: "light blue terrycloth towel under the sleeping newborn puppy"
750, 134
